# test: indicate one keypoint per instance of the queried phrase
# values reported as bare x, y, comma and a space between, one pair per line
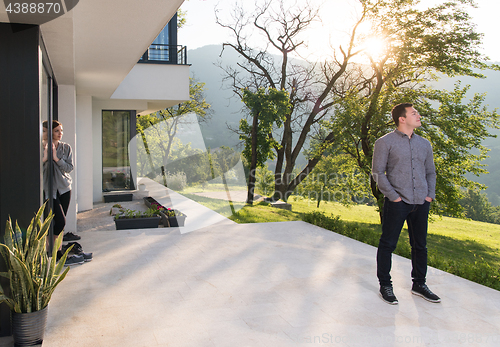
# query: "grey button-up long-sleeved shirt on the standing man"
404, 167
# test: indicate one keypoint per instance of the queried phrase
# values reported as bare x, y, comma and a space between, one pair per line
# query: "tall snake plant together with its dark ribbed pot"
32, 275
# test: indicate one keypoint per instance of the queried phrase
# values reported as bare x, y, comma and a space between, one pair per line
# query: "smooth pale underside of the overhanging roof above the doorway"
97, 44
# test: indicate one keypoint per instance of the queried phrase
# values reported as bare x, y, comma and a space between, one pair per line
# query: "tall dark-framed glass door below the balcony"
115, 154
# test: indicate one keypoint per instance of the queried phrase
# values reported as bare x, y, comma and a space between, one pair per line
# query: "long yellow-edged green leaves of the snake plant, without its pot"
32, 275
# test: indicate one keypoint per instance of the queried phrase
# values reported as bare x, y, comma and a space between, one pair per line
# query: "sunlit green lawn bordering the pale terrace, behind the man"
466, 248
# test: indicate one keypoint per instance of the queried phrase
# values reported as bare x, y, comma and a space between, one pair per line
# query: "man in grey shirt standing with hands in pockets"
403, 168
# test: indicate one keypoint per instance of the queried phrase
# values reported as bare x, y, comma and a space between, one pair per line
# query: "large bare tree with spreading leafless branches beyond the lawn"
309, 85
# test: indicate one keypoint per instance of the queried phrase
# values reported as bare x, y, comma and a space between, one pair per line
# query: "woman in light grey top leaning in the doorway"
62, 157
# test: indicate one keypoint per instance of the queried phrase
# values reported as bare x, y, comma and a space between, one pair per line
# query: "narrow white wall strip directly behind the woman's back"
67, 116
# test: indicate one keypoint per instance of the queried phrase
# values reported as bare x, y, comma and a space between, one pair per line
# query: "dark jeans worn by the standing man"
395, 214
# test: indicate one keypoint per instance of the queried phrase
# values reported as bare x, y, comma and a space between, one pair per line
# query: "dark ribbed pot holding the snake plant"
28, 328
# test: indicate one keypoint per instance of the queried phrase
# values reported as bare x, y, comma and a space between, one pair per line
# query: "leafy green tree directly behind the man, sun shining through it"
440, 40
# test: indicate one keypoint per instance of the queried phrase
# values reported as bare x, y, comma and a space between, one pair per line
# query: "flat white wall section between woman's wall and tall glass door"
84, 144
